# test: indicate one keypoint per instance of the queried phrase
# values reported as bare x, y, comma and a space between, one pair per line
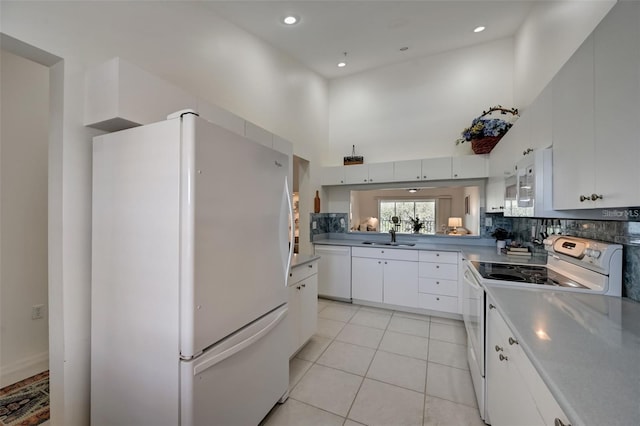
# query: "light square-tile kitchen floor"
369, 366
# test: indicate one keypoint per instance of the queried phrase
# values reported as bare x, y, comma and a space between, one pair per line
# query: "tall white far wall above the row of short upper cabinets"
417, 109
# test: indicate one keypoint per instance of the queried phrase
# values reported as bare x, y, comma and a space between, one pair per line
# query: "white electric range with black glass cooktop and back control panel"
573, 264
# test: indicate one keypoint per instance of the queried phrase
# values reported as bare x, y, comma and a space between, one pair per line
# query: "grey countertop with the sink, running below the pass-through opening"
475, 252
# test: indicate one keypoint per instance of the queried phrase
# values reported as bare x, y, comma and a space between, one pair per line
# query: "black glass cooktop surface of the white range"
524, 274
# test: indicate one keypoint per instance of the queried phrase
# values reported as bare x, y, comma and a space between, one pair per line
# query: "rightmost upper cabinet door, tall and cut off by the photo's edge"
617, 107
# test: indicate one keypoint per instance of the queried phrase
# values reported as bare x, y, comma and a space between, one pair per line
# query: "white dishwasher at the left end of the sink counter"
334, 271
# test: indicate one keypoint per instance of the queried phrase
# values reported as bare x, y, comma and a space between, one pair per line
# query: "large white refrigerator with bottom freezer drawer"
190, 262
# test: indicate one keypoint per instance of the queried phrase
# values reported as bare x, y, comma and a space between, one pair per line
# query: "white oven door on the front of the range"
473, 314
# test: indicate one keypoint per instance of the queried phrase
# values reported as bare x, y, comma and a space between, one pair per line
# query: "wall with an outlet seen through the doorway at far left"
23, 217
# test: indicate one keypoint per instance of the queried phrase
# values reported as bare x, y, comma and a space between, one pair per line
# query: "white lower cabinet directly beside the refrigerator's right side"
303, 305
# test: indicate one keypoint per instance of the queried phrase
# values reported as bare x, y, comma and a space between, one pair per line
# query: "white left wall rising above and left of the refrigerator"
223, 65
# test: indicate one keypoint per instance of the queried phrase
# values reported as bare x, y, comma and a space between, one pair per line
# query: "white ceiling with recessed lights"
371, 31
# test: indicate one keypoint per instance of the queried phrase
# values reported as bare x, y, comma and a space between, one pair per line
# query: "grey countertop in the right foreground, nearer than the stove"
591, 364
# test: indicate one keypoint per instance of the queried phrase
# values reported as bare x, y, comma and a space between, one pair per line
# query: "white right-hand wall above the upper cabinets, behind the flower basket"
552, 32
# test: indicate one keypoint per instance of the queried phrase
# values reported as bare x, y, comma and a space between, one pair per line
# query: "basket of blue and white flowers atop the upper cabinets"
485, 132
